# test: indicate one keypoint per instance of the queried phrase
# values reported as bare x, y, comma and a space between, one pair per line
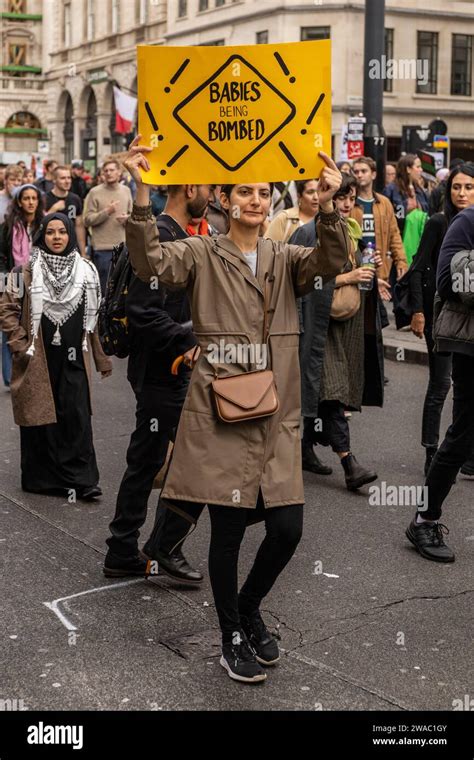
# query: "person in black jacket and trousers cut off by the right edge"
453, 332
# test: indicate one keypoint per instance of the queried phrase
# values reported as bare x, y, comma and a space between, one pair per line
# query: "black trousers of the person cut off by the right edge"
458, 443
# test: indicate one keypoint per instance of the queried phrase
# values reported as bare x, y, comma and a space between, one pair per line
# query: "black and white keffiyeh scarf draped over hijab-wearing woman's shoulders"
59, 284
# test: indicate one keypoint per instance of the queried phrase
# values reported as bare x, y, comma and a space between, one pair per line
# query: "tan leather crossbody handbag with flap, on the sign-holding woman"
250, 395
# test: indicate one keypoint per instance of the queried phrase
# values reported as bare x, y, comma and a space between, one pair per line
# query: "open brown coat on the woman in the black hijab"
32, 397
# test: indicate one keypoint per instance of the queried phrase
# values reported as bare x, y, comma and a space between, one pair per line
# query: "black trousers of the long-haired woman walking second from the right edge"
439, 384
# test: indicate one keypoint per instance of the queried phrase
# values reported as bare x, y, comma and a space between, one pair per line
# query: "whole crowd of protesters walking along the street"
288, 270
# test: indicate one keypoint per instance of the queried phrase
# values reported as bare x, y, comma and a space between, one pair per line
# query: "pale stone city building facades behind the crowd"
61, 59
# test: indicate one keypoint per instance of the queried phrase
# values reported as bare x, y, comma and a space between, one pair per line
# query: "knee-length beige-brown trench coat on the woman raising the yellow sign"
216, 462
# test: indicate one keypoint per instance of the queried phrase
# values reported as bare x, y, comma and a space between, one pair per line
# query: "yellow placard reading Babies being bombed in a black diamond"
250, 113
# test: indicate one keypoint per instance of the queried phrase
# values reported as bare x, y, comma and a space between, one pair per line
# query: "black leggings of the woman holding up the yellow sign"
283, 532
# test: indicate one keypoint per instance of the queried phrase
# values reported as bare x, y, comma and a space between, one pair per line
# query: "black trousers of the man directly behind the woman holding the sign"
157, 416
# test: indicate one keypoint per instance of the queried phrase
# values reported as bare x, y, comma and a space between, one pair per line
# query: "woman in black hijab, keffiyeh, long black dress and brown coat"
49, 311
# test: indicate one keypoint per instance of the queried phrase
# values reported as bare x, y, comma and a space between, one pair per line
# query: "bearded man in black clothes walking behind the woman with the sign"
160, 330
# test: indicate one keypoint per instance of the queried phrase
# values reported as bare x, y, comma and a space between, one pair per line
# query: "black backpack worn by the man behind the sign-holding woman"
113, 321
